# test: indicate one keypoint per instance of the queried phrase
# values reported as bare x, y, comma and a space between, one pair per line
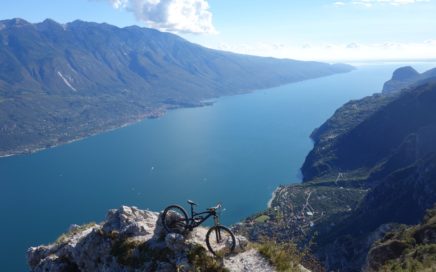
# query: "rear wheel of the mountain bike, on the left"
175, 219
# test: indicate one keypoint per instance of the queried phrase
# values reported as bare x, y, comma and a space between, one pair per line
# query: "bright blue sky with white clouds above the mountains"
347, 30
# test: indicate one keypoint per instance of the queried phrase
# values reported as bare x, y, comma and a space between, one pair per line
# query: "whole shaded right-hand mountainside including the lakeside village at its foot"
373, 165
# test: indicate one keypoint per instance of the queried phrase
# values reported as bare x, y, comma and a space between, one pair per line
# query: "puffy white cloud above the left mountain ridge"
180, 16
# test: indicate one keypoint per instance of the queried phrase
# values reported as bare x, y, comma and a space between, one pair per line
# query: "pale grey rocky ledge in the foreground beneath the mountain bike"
132, 239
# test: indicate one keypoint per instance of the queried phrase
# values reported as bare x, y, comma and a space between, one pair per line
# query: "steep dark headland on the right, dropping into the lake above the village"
364, 133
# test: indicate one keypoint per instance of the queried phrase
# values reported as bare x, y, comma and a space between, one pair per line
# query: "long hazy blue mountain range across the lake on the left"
61, 82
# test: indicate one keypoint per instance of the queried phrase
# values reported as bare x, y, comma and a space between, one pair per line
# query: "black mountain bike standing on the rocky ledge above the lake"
220, 240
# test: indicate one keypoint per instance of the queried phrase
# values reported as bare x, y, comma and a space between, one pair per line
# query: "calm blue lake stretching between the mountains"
235, 152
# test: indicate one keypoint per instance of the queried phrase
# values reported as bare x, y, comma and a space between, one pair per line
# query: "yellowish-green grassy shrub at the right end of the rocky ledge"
285, 257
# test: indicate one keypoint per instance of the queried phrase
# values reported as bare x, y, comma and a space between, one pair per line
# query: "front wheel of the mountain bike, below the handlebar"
220, 240
